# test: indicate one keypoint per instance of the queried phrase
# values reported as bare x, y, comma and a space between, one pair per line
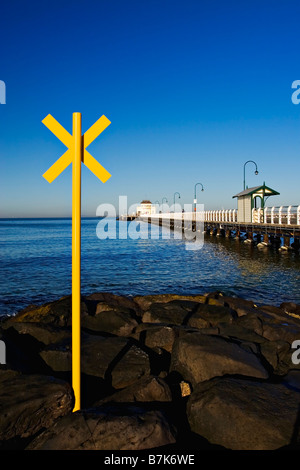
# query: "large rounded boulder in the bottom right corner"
245, 415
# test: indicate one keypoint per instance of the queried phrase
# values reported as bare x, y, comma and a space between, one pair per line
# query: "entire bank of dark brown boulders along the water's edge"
163, 371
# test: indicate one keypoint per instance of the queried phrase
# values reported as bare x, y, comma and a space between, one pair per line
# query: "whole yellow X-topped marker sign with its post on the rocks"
76, 154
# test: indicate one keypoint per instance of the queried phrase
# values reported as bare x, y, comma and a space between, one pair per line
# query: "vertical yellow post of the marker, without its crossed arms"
76, 245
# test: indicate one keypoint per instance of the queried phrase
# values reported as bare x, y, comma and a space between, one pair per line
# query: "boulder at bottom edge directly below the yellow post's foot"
109, 427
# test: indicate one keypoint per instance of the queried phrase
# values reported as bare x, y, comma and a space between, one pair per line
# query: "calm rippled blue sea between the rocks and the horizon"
35, 266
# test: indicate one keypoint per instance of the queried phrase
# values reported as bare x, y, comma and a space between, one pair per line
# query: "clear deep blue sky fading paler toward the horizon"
193, 89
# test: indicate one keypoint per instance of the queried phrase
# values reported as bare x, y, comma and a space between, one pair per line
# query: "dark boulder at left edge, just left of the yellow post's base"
29, 403
